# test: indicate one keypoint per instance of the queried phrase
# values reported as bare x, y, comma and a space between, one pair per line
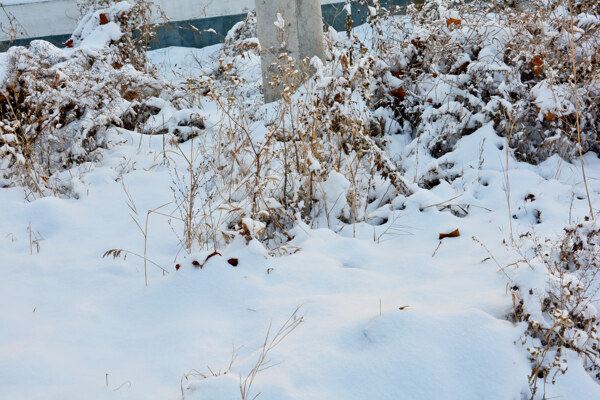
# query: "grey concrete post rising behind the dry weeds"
301, 34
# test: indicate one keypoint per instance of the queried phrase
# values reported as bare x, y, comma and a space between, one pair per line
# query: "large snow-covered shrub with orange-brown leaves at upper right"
459, 66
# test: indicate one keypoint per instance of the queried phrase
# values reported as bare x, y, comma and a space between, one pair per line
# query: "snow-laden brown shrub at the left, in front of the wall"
57, 103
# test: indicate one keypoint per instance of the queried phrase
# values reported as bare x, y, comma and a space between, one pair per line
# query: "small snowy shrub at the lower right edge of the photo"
562, 318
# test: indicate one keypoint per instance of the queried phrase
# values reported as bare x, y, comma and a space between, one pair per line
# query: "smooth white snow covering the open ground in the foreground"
383, 311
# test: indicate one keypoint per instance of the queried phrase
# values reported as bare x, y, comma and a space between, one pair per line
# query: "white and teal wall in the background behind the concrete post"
54, 20
